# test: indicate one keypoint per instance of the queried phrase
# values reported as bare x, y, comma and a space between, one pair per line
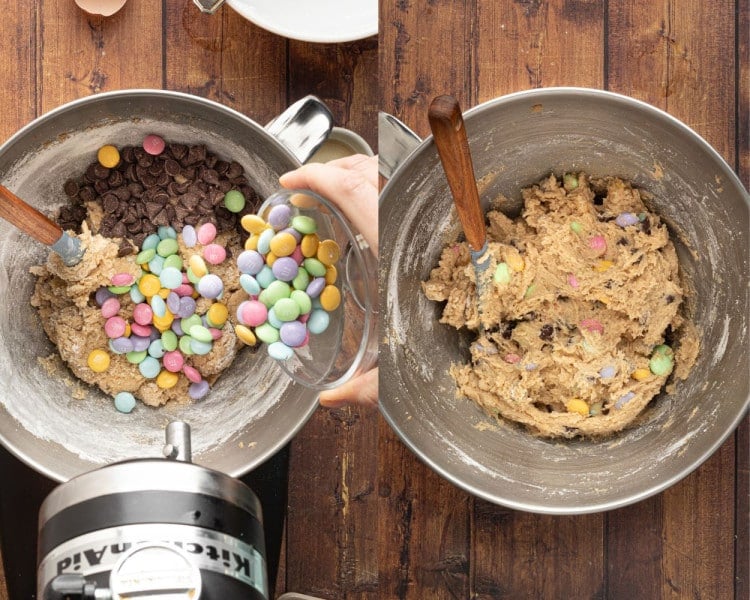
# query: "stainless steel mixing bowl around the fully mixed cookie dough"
515, 141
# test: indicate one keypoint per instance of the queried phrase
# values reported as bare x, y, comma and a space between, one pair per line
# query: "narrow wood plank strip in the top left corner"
19, 69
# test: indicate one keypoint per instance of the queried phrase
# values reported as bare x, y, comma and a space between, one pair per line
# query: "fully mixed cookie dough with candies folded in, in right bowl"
583, 310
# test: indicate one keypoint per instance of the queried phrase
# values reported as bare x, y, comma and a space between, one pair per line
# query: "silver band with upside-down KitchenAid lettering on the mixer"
209, 550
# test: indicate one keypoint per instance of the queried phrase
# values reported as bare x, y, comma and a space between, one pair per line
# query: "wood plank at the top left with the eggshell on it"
83, 54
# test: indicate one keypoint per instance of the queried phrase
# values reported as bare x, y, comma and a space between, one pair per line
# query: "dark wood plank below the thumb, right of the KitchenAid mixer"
331, 535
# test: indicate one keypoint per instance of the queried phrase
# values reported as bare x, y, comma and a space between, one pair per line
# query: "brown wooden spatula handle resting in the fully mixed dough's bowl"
449, 134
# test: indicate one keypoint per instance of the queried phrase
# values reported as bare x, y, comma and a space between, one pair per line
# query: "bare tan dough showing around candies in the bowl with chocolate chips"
73, 321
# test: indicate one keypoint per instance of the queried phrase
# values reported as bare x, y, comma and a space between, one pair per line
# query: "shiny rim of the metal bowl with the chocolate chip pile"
304, 412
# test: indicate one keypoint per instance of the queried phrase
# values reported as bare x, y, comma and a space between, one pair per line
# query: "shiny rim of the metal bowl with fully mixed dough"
626, 499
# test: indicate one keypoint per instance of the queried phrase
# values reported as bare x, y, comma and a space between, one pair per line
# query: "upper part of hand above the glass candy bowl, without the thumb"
351, 183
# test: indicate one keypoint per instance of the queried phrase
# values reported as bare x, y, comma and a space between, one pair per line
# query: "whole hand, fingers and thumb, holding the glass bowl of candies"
351, 183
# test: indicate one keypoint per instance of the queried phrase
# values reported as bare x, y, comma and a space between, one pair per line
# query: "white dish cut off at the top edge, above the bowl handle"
327, 21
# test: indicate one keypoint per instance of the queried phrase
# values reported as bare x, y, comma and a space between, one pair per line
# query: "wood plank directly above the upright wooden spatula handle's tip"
416, 41
